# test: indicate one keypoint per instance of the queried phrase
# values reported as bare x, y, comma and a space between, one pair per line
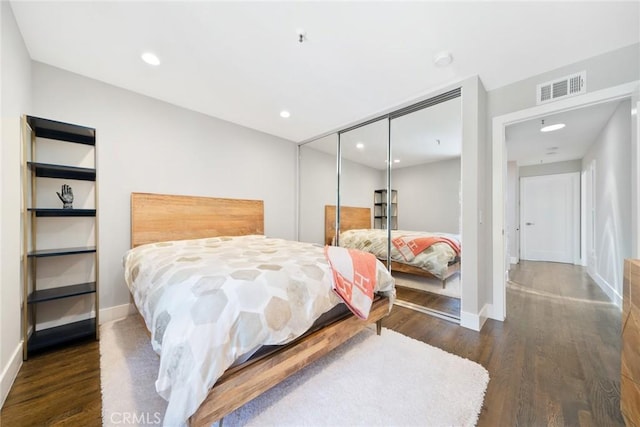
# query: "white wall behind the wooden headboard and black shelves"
145, 145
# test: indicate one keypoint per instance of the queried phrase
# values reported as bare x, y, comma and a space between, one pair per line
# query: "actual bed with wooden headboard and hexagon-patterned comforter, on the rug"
161, 222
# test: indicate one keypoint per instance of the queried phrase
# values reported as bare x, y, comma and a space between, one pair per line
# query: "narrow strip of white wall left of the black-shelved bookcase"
15, 74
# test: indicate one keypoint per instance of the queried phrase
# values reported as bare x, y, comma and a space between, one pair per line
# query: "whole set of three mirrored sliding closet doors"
392, 186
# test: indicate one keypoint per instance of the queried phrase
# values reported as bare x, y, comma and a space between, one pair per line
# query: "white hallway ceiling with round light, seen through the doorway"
526, 145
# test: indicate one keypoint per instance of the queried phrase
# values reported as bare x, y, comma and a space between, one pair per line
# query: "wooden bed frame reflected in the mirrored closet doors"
352, 218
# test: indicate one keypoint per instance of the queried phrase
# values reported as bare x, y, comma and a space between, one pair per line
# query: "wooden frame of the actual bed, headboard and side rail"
158, 217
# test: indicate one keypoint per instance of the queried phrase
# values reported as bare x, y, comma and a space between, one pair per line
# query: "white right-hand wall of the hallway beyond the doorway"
611, 152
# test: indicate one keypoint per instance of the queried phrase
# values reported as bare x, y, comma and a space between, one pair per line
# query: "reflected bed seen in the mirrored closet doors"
356, 232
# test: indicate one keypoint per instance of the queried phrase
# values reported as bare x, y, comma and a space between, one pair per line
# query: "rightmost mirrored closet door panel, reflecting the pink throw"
426, 147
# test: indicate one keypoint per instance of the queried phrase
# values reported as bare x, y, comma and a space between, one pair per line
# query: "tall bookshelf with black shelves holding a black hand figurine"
61, 147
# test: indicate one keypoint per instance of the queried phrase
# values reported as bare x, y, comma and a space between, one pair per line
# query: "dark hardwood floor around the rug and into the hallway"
554, 361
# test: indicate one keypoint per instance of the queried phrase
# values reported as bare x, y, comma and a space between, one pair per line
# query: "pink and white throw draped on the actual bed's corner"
354, 274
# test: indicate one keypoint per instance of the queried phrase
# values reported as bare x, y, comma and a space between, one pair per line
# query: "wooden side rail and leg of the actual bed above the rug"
238, 387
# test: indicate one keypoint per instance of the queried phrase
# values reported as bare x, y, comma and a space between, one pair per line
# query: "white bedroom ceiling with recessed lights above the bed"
242, 62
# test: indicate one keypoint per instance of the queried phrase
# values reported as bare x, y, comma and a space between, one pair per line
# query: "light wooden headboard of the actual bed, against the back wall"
162, 217
